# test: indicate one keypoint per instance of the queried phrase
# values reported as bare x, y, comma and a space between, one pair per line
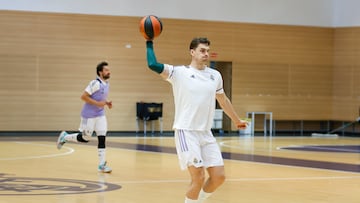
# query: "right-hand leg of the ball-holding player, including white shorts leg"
214, 164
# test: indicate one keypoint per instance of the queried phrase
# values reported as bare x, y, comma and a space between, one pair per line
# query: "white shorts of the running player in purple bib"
97, 124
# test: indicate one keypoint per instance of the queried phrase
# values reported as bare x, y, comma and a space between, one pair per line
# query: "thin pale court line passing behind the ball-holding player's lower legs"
243, 179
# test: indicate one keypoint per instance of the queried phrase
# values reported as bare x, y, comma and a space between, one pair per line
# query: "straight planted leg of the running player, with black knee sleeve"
101, 130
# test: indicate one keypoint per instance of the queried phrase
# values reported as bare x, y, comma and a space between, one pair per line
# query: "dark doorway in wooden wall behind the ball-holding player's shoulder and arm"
225, 68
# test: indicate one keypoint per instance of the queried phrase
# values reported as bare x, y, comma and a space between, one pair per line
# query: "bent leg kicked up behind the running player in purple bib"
86, 130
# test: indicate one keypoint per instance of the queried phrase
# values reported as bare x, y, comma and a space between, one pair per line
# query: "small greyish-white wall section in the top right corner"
346, 13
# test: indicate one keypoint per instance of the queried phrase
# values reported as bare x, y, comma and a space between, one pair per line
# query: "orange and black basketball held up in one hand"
150, 27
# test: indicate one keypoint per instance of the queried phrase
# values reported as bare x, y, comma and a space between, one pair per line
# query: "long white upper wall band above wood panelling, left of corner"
289, 12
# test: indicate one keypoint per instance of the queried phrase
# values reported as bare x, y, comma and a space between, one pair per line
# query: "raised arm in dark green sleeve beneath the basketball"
152, 62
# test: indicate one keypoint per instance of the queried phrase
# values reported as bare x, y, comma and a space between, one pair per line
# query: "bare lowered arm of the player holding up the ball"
228, 108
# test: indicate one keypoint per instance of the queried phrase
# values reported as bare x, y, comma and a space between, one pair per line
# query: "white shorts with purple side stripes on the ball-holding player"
197, 148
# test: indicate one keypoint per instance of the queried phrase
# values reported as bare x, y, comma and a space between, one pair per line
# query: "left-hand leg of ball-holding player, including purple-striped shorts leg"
189, 154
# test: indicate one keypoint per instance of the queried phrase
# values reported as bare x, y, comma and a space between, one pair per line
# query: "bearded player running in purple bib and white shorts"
93, 115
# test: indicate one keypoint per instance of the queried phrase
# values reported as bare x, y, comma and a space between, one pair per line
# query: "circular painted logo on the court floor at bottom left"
10, 185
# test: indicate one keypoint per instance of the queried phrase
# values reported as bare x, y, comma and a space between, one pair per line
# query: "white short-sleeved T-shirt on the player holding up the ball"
194, 96
